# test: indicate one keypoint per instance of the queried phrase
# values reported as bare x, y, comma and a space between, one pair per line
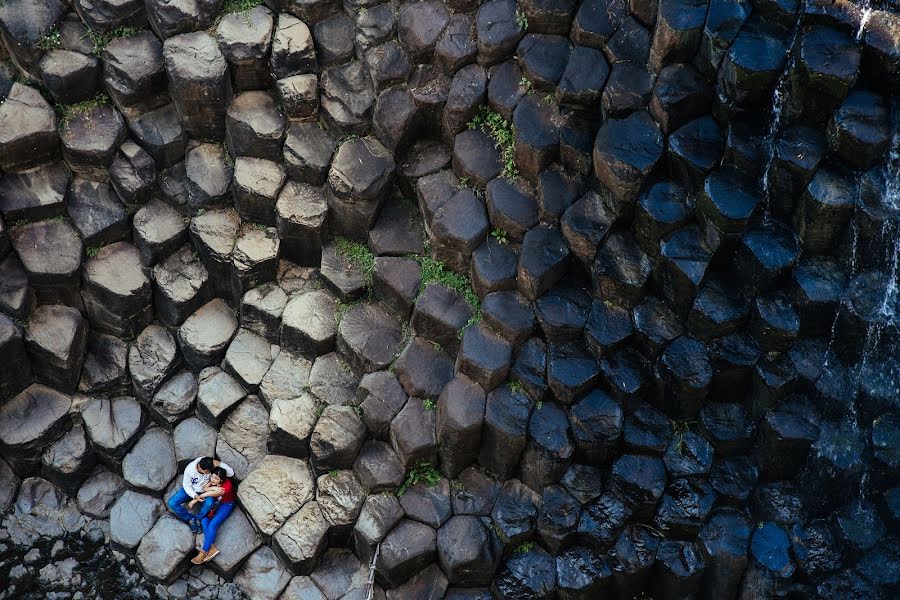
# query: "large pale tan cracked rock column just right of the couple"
274, 490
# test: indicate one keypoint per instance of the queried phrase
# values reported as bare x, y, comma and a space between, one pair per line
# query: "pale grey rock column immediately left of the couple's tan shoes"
162, 553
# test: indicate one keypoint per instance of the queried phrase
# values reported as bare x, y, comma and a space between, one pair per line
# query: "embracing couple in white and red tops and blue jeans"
206, 482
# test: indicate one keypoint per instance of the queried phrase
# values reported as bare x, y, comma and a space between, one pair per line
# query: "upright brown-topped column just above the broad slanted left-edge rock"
56, 338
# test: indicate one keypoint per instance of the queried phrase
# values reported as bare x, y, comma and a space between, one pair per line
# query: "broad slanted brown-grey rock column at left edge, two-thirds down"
29, 422
